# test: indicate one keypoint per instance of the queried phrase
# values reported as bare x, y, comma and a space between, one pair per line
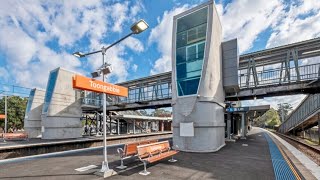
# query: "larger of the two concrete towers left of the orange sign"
62, 107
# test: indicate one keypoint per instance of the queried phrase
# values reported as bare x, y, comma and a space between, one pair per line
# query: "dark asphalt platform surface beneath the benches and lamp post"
244, 159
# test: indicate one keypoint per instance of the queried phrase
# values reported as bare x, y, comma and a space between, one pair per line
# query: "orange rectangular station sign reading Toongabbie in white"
84, 83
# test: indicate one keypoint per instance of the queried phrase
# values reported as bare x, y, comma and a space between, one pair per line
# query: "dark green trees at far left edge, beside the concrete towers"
16, 111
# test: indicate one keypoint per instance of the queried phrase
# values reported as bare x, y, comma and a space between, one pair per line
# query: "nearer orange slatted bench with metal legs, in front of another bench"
151, 153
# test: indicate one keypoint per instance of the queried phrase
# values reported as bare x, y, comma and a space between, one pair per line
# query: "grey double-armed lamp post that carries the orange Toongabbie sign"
136, 28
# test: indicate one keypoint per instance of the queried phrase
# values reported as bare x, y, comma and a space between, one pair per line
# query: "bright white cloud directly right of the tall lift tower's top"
245, 20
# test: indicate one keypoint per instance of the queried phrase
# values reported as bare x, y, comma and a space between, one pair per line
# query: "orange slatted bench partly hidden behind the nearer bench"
130, 150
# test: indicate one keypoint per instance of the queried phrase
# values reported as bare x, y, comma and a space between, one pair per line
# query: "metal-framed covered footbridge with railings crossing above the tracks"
282, 70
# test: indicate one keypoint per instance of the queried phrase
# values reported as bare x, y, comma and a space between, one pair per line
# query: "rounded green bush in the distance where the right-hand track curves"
270, 118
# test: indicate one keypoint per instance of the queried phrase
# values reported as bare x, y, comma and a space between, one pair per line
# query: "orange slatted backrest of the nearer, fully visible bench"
154, 148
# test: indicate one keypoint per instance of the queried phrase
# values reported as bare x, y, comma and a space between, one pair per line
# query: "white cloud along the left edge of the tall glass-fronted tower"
162, 36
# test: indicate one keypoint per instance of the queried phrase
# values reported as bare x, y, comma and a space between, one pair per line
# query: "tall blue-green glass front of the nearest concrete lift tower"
190, 44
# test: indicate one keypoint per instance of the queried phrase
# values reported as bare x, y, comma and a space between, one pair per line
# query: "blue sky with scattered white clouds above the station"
39, 36
